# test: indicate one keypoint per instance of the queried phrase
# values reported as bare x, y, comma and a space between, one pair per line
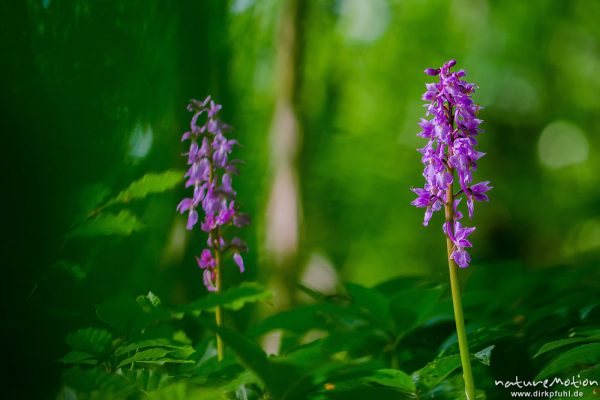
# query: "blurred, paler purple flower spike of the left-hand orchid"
210, 173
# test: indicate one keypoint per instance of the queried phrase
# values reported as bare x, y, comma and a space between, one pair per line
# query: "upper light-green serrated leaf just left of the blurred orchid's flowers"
148, 184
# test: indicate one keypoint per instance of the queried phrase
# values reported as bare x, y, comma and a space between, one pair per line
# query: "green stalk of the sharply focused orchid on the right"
463, 345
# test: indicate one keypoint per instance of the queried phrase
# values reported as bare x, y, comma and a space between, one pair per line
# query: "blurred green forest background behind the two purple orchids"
325, 97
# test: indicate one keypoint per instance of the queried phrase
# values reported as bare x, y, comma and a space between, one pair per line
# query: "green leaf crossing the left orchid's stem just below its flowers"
233, 299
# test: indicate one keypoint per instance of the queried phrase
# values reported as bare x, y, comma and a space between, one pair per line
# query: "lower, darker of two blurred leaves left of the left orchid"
122, 224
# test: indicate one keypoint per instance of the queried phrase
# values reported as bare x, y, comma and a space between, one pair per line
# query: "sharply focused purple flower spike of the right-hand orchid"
450, 157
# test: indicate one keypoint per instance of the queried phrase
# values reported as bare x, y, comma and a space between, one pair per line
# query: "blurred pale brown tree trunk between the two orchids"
284, 209
